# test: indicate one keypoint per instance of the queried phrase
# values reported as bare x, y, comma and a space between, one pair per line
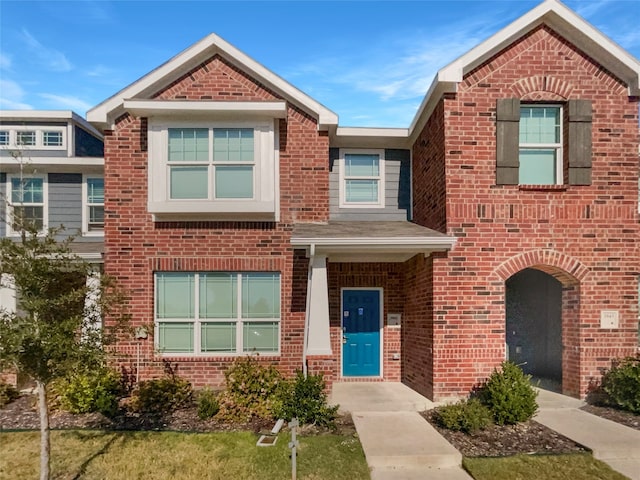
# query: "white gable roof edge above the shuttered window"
556, 16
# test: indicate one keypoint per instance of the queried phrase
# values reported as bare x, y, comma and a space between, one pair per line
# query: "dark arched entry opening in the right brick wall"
534, 323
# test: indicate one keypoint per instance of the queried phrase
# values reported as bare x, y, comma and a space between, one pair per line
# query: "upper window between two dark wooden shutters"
540, 145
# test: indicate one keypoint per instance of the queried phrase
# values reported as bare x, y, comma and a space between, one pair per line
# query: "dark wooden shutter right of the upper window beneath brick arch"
580, 114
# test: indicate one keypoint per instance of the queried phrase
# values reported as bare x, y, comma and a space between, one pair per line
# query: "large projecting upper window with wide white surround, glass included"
225, 170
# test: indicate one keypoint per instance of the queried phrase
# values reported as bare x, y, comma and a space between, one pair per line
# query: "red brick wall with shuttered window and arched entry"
586, 235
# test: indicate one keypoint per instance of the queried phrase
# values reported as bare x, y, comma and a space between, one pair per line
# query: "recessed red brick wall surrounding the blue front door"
389, 277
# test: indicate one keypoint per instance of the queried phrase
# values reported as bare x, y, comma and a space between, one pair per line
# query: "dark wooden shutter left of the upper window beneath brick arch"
507, 141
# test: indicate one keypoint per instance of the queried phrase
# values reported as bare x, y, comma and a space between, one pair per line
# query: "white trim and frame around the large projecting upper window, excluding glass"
266, 181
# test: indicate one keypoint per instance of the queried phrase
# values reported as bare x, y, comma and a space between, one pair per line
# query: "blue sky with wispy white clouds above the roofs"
370, 62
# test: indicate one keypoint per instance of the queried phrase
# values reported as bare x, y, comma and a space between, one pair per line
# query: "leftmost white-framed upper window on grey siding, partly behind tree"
27, 202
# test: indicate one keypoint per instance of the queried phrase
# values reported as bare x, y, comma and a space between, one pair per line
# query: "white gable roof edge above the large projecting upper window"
104, 113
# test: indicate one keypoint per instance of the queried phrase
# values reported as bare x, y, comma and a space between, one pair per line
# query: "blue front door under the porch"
361, 333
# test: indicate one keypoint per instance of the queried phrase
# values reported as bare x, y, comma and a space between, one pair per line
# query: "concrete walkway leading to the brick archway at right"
615, 444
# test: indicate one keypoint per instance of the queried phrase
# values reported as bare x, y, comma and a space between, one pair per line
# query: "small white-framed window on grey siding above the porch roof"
362, 178
